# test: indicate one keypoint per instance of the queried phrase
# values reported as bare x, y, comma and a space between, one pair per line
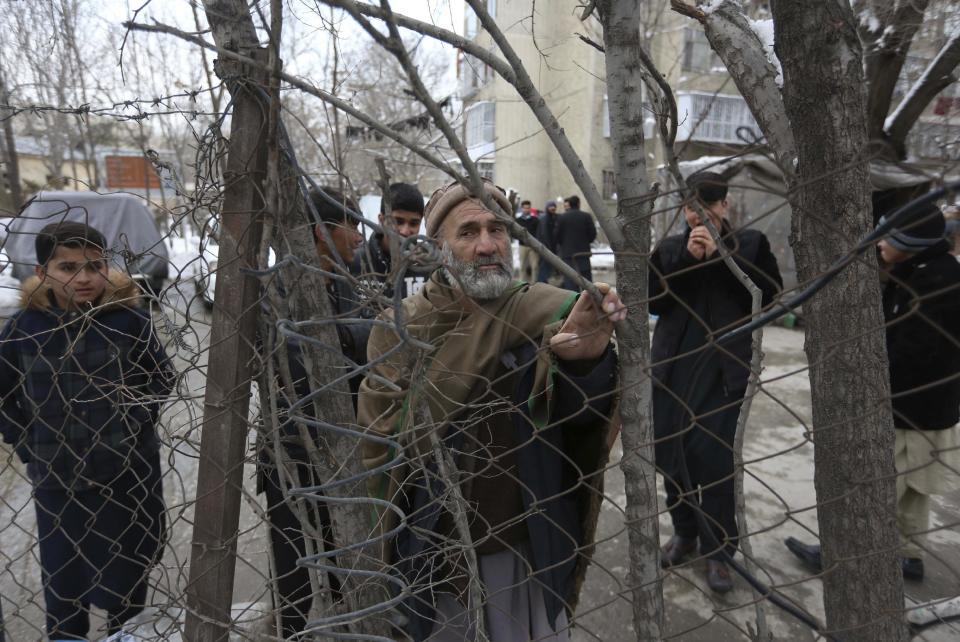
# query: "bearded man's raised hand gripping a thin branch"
587, 330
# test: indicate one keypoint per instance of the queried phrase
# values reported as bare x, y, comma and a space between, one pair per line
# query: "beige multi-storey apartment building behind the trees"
508, 143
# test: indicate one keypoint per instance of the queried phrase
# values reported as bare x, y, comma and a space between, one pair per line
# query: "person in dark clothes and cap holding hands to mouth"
697, 396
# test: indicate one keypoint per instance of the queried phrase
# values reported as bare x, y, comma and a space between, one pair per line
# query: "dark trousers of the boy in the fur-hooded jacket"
97, 545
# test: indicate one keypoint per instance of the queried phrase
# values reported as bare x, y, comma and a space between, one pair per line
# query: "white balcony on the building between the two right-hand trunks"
714, 118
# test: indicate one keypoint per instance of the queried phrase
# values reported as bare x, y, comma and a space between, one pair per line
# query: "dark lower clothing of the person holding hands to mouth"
705, 444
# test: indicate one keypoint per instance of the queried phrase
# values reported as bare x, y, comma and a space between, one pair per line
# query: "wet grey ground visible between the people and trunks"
779, 499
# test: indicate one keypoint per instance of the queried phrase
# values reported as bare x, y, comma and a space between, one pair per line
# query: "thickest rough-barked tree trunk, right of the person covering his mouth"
854, 477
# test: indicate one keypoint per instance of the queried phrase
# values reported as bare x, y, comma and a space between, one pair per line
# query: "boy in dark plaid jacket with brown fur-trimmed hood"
82, 379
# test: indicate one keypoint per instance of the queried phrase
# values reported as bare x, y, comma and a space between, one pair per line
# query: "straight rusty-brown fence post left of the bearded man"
230, 366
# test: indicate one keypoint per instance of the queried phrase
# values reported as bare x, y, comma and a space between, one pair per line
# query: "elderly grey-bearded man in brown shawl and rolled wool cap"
519, 387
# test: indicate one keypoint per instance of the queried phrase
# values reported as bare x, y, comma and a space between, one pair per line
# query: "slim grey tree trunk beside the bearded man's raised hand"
625, 71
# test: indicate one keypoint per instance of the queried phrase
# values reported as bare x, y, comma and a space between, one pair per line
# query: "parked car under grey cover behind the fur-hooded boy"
125, 221
